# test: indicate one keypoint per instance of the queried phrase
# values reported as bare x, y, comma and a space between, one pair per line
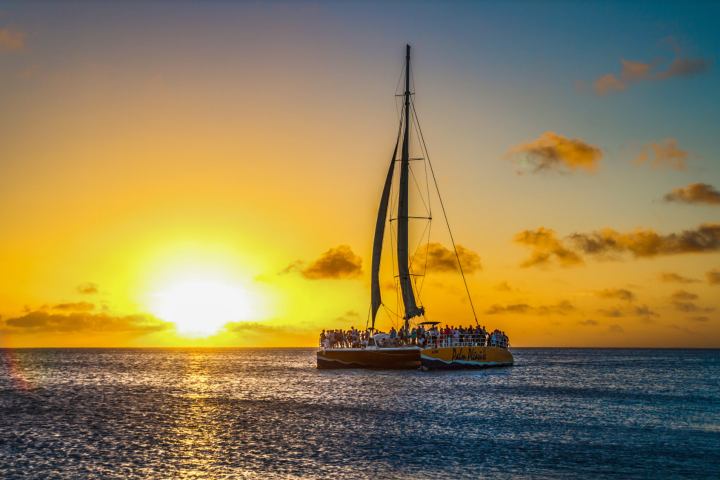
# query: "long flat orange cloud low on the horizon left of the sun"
44, 322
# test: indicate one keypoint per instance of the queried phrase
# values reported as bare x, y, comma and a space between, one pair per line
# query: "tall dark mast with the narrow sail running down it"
411, 309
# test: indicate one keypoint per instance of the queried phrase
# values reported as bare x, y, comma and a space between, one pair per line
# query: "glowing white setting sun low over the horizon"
201, 307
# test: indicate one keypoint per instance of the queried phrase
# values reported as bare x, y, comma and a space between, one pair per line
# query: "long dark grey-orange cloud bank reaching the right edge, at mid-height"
643, 243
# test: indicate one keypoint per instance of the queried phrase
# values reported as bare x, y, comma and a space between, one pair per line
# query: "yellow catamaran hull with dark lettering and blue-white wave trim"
456, 358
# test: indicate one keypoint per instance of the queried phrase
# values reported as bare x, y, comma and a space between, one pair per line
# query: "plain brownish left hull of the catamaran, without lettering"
382, 358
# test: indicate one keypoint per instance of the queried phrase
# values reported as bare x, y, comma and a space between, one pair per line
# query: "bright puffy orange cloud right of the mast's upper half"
553, 152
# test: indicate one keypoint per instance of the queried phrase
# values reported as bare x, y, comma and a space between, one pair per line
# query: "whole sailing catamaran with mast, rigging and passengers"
466, 351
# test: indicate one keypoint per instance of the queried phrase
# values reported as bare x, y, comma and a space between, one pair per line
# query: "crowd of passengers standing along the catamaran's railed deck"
432, 337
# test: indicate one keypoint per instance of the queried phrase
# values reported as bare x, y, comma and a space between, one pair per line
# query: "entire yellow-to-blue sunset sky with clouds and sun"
209, 174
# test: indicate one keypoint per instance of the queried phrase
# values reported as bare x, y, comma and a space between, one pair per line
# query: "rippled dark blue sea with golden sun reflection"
269, 413
